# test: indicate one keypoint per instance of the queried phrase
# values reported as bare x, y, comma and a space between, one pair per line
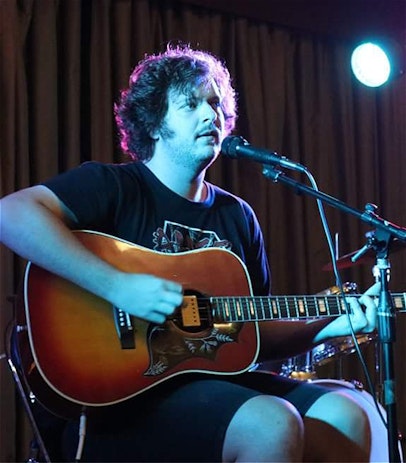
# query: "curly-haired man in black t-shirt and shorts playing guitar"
178, 108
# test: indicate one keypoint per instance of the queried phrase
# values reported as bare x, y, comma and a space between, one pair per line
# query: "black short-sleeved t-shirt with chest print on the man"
129, 202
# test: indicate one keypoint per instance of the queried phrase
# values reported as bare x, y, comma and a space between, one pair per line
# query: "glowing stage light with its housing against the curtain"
374, 63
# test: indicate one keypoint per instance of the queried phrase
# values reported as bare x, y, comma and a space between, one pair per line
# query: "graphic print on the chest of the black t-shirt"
174, 237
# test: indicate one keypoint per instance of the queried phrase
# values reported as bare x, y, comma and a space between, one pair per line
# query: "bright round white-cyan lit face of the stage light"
370, 64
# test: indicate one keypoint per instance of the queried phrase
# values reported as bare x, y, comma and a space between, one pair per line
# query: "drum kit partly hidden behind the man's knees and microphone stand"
307, 366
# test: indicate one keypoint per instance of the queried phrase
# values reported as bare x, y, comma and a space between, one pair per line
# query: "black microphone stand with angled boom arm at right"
380, 240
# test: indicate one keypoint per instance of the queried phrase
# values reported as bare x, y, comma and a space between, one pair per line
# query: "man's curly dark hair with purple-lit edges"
142, 107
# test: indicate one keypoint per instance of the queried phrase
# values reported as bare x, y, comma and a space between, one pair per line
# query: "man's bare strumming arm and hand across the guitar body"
36, 225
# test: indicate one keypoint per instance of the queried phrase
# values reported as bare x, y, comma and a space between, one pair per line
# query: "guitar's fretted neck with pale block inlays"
265, 308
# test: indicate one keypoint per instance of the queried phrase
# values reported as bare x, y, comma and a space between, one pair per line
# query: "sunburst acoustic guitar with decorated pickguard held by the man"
78, 350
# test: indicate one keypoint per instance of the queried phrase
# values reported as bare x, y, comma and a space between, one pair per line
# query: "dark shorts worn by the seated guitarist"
183, 419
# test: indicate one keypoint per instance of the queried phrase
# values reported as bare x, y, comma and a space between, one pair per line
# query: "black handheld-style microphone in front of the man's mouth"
238, 148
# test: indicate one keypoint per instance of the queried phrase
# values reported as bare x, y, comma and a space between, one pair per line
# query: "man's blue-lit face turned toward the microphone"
193, 127
